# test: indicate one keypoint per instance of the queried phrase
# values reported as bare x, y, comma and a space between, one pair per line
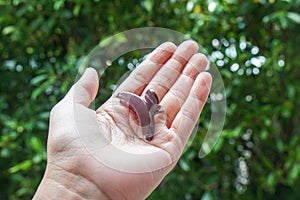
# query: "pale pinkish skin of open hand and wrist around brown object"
176, 75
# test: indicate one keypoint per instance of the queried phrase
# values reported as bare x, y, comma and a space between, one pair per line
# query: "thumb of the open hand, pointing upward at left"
85, 89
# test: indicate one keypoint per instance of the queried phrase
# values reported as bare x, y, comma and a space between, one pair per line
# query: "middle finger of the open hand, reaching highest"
168, 74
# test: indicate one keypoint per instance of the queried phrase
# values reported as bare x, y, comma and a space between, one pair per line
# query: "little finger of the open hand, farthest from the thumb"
187, 117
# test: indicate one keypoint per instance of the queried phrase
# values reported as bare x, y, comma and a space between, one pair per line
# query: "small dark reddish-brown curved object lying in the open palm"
145, 106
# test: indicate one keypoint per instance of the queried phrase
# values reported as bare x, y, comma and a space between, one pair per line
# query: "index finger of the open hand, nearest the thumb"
140, 77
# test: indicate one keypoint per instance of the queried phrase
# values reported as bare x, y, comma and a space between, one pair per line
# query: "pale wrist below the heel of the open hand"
58, 183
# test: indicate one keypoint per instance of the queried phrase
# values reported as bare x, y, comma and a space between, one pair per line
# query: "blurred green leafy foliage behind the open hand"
254, 44
